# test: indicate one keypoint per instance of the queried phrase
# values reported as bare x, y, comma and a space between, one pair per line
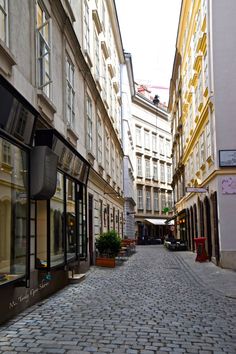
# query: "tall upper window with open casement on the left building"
43, 50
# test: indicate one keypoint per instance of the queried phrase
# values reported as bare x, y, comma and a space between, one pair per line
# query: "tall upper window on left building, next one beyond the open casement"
70, 93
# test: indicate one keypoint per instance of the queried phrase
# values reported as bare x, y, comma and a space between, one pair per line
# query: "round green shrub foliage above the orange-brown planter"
108, 244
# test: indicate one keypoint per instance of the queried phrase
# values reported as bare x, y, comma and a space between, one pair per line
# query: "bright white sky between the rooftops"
149, 31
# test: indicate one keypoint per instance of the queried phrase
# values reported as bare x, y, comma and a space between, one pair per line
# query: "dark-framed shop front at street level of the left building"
43, 219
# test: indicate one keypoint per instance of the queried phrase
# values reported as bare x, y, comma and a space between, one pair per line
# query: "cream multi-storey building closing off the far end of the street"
152, 169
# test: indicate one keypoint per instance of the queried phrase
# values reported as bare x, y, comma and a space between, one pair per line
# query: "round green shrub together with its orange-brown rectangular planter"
108, 245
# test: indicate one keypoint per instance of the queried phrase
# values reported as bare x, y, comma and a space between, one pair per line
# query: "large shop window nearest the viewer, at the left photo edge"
13, 215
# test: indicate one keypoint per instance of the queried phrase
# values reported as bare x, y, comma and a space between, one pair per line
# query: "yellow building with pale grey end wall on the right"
201, 106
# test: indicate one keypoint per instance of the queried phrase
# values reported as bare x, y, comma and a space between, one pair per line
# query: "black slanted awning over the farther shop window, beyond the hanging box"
69, 159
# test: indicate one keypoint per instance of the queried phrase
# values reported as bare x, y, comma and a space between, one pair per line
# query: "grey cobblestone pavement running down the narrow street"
151, 304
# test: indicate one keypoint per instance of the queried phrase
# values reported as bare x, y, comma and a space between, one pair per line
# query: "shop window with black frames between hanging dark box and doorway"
64, 239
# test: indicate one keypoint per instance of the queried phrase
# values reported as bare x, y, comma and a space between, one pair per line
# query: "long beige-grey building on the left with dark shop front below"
61, 157
